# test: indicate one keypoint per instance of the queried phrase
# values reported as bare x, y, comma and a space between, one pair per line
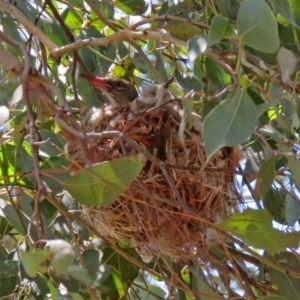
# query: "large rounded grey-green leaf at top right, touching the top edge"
257, 26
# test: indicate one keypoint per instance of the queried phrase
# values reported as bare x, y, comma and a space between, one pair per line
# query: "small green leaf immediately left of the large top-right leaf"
220, 29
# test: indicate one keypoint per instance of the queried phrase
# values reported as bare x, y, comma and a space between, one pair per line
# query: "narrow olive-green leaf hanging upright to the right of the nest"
265, 177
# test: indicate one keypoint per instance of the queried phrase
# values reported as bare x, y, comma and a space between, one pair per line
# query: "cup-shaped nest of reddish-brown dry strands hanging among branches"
166, 210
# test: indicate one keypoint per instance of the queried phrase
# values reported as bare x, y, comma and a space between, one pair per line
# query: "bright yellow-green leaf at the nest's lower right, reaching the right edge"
254, 227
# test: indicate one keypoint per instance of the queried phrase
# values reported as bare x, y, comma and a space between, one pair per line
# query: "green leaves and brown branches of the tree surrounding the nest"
236, 60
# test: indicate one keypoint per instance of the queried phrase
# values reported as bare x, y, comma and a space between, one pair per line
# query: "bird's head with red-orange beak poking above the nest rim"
119, 91
